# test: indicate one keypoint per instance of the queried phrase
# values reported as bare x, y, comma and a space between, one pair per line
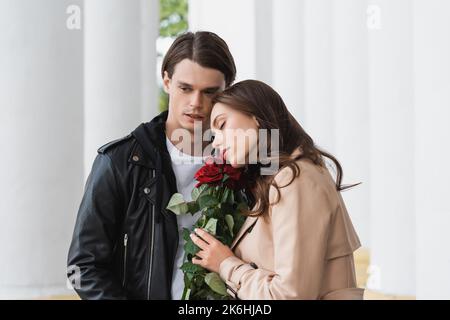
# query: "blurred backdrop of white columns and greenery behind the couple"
368, 79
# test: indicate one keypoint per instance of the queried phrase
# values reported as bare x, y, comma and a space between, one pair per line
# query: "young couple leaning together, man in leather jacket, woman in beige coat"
298, 242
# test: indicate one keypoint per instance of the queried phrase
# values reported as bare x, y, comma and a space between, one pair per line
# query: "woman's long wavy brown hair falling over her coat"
256, 98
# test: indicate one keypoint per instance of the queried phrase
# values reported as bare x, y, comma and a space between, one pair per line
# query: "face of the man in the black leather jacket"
190, 91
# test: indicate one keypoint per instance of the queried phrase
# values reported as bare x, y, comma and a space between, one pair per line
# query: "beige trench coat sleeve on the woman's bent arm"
301, 224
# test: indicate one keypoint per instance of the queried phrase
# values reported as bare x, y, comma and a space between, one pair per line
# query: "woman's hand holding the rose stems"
212, 251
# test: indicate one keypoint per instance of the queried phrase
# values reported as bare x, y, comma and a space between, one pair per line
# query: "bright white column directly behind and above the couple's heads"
245, 26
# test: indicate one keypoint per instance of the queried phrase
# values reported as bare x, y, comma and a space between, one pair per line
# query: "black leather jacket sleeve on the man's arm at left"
91, 250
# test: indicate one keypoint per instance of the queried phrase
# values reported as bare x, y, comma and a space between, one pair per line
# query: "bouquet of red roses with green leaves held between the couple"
218, 195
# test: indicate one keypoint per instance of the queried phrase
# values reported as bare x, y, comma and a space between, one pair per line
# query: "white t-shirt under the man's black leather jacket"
184, 167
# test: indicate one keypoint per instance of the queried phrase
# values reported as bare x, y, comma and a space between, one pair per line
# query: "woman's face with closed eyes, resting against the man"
235, 134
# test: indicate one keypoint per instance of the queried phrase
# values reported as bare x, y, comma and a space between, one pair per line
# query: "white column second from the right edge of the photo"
392, 149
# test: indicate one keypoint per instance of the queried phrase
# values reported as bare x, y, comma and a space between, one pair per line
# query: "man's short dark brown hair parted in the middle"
202, 47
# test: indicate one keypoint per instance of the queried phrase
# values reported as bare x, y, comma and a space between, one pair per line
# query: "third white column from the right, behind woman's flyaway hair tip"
351, 108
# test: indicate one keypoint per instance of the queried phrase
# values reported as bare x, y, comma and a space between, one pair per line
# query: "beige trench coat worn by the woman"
302, 248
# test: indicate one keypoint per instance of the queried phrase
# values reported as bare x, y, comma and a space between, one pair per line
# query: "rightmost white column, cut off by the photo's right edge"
432, 154
